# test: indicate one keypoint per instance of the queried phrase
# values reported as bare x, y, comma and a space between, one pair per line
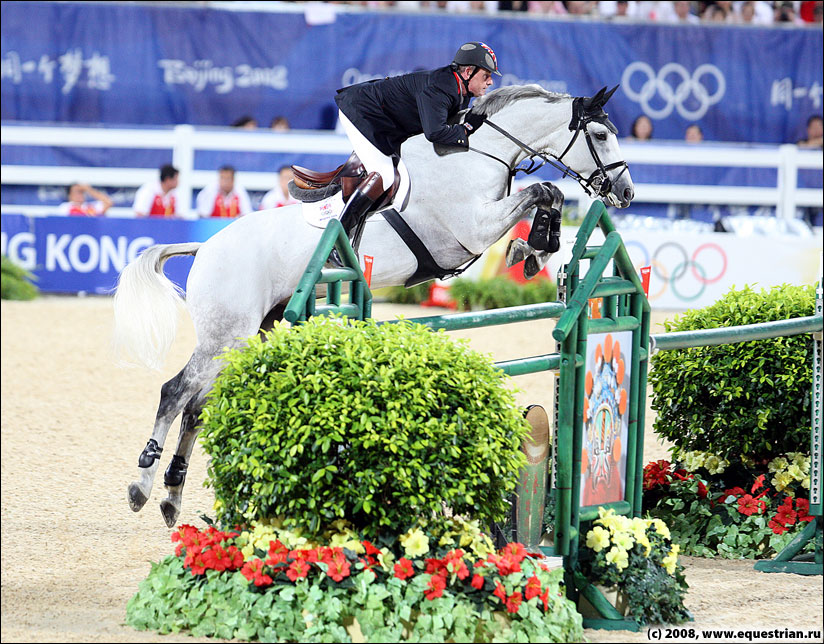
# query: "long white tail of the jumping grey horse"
146, 307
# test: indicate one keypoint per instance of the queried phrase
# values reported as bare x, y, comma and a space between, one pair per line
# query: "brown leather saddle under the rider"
311, 185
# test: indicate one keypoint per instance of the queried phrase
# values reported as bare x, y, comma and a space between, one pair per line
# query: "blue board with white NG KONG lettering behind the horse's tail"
73, 254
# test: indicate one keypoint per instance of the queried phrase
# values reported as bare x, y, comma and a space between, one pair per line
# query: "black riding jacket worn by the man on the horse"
389, 111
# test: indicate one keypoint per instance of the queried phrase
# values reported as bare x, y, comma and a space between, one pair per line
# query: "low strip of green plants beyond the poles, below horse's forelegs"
500, 292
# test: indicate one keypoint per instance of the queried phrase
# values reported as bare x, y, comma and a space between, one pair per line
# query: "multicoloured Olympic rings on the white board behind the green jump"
688, 274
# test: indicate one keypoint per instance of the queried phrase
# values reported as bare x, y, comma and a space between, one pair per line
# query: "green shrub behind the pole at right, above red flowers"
748, 399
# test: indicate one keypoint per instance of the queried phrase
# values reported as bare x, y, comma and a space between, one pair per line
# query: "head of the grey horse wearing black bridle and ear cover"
593, 153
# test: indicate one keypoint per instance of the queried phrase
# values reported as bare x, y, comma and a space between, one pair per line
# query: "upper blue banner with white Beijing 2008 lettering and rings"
112, 63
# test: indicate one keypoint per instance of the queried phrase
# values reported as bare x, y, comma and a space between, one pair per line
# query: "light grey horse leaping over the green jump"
242, 277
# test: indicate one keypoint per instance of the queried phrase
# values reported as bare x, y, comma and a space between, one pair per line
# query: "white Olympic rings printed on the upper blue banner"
690, 89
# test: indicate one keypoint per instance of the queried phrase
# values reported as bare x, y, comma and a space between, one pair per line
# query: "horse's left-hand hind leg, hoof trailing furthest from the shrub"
173, 396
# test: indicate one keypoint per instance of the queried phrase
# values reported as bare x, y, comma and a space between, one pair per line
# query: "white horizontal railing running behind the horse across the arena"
184, 140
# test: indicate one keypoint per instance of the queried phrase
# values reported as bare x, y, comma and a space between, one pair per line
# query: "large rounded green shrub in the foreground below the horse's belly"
380, 424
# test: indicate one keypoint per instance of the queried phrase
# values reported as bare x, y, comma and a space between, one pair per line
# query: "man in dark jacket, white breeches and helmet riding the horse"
378, 116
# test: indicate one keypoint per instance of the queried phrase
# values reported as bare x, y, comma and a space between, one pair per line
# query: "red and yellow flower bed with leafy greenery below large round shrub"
270, 583
